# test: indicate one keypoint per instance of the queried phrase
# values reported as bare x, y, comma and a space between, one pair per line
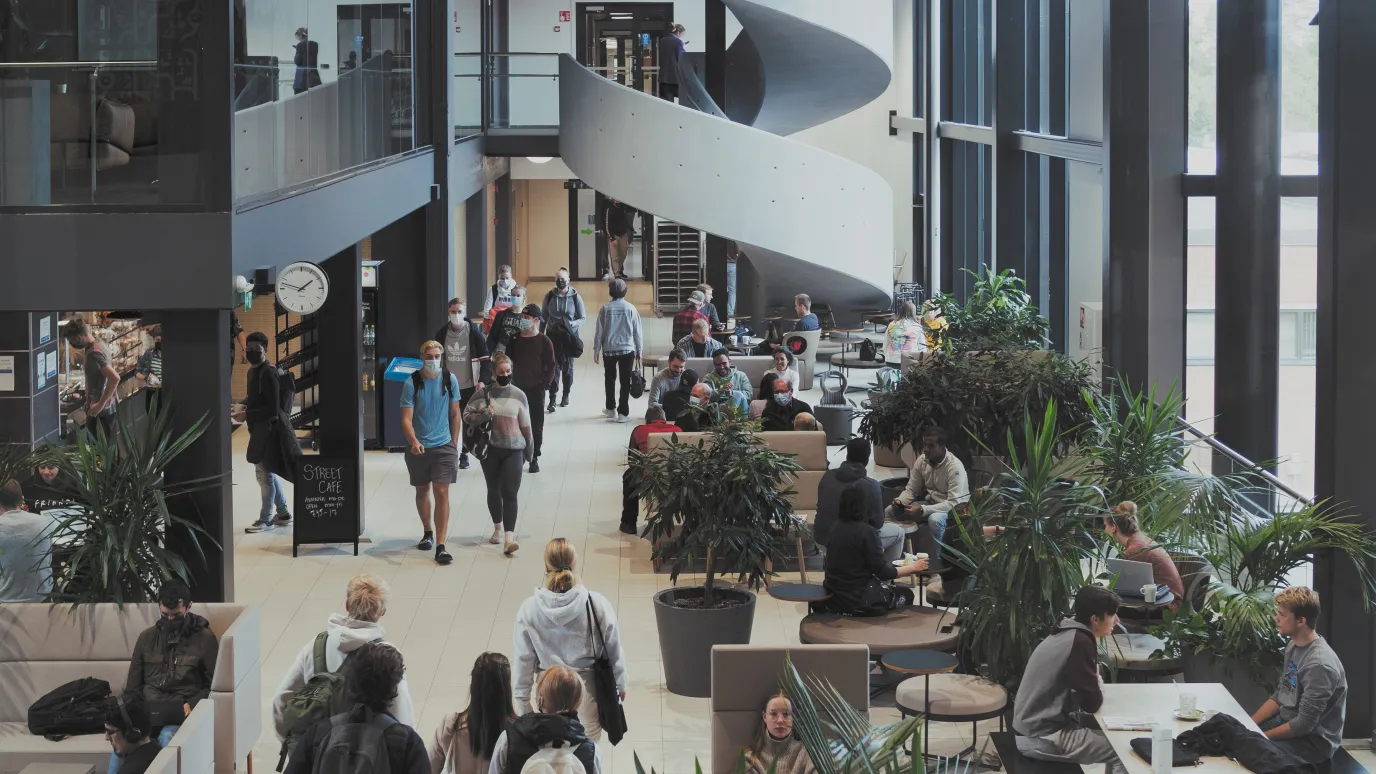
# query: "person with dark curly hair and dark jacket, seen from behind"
375, 673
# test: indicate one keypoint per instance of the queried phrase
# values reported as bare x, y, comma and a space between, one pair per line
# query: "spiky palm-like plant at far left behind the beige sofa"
119, 530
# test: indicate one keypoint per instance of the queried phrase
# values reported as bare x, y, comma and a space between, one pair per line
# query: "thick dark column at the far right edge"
1346, 415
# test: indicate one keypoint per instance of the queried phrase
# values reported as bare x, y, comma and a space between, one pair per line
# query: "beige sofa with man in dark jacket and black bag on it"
43, 647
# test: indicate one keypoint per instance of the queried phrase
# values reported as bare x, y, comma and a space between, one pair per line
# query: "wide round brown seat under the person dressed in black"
913, 627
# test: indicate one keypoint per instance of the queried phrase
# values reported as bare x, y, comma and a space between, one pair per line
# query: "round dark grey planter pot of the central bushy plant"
687, 636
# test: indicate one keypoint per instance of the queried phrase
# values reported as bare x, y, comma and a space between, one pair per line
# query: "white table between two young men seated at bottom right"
1158, 702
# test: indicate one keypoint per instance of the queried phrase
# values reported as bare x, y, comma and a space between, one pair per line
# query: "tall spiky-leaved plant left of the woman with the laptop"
1027, 576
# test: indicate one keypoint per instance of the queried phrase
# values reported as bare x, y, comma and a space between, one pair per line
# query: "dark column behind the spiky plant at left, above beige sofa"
196, 371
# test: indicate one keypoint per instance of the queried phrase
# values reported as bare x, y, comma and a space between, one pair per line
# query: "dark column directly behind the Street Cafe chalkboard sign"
341, 353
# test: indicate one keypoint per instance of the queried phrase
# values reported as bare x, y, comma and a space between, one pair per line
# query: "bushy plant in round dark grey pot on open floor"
724, 501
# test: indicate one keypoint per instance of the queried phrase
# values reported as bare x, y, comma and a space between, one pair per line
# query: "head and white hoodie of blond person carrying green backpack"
365, 603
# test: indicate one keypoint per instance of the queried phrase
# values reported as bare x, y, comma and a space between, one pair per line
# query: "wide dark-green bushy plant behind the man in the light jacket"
979, 397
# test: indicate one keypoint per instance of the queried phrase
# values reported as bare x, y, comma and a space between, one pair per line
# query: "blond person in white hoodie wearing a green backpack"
313, 688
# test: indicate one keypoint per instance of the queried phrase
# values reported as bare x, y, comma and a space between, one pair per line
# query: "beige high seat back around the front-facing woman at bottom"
745, 677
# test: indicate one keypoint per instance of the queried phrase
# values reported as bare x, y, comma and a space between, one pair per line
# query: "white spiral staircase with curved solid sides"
810, 221
